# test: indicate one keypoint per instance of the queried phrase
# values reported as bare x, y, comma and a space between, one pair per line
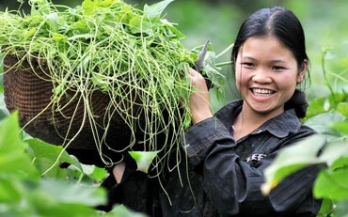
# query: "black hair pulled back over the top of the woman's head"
278, 22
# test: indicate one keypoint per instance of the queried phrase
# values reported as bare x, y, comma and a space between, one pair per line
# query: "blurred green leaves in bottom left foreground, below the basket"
26, 190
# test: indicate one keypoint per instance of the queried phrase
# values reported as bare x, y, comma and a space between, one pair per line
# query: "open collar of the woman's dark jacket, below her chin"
280, 126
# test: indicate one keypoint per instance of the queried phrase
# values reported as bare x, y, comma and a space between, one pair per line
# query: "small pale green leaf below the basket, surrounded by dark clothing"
143, 159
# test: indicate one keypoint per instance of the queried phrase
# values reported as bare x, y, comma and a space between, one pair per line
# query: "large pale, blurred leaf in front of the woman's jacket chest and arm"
292, 159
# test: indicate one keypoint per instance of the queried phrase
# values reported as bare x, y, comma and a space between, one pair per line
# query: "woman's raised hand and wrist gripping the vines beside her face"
199, 99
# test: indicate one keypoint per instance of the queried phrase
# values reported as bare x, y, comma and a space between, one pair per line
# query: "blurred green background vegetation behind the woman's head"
324, 22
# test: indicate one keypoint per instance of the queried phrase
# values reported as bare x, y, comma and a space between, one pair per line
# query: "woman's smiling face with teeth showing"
266, 75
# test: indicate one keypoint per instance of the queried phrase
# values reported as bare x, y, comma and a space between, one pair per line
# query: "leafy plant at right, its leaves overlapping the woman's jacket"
328, 116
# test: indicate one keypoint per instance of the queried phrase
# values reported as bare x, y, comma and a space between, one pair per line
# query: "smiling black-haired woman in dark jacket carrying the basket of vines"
228, 152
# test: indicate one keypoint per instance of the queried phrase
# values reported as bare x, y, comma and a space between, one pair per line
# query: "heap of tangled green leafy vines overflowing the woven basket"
134, 56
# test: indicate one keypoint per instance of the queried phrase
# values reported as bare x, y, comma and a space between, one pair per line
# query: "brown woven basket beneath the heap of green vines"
30, 92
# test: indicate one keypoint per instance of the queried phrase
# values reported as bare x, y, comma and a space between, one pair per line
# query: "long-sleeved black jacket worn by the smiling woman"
222, 177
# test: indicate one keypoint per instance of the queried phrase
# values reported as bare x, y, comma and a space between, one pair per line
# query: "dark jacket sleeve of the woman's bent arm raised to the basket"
232, 184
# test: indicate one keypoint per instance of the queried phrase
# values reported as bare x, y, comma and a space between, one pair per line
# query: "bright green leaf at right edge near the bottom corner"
332, 184
